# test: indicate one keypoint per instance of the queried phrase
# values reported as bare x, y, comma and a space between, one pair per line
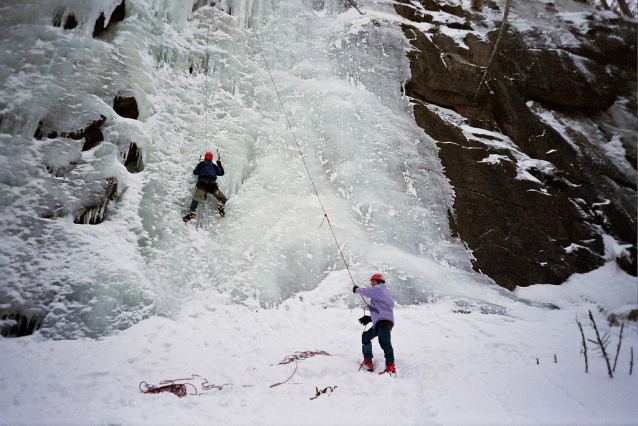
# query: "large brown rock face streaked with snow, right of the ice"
531, 149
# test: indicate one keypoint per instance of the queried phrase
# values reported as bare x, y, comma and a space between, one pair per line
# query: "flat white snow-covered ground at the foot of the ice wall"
455, 366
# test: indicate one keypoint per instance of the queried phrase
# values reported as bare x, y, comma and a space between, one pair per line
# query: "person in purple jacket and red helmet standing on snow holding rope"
382, 318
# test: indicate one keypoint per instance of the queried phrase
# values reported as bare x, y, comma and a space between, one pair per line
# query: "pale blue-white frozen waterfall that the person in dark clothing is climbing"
201, 83
